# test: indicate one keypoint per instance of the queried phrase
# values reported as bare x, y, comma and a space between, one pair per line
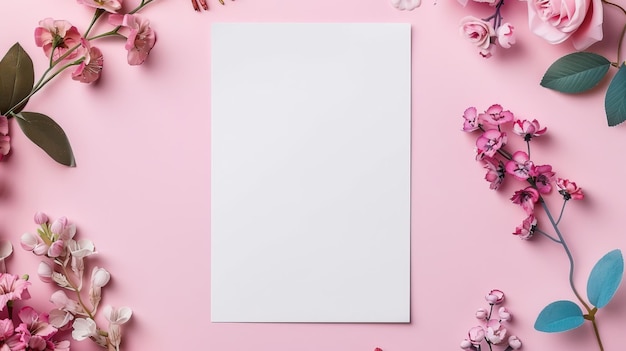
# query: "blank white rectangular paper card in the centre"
310, 172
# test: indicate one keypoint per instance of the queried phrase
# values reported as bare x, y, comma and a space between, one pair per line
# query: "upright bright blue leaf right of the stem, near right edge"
605, 278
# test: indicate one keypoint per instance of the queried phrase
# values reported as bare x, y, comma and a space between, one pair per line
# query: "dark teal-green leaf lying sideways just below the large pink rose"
576, 73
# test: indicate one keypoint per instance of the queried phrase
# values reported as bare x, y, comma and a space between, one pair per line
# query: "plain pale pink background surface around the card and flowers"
141, 188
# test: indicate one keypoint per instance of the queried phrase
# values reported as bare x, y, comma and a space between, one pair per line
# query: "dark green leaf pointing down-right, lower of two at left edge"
48, 135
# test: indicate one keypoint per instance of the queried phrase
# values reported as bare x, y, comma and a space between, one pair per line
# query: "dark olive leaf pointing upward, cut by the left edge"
16, 78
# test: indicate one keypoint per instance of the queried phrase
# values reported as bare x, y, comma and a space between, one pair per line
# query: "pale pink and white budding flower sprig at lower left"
64, 265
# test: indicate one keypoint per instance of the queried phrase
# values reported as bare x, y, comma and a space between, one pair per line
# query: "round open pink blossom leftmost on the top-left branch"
59, 36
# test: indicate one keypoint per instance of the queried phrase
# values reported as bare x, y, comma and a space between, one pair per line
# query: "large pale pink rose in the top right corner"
558, 20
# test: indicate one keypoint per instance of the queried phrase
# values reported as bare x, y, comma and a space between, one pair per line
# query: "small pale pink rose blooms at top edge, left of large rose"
489, 32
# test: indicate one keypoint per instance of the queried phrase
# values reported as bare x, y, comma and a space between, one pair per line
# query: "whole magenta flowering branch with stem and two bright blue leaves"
500, 162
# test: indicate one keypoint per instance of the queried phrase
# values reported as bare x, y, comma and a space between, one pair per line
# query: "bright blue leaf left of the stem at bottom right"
559, 316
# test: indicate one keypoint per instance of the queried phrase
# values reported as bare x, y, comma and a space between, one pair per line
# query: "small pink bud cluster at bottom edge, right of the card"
491, 329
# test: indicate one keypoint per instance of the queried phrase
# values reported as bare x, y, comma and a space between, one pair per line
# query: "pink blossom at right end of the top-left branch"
141, 38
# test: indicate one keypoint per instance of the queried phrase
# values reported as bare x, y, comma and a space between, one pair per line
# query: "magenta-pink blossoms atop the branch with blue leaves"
499, 163
